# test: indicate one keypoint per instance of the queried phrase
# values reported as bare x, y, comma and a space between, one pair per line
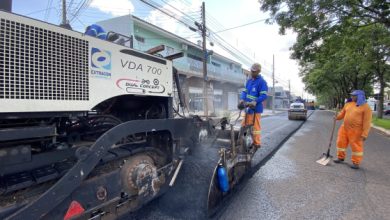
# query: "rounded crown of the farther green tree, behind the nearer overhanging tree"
339, 66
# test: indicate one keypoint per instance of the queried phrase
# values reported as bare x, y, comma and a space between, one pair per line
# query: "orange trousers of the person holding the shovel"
350, 137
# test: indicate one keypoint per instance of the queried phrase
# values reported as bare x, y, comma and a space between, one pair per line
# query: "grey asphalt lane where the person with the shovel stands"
292, 186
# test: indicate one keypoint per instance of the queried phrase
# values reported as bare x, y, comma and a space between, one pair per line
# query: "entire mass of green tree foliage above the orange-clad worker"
341, 45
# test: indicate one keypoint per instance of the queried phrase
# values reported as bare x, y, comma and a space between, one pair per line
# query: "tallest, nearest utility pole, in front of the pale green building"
205, 90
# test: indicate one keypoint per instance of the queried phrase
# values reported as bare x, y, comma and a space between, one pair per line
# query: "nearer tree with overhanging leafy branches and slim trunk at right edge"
317, 21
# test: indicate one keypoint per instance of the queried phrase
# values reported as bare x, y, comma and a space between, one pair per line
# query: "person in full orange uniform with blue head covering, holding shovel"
354, 131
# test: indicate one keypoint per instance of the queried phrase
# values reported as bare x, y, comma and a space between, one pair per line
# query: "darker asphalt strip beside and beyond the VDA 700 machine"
188, 198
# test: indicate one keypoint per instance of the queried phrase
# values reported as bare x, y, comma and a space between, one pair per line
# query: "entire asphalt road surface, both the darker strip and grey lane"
288, 184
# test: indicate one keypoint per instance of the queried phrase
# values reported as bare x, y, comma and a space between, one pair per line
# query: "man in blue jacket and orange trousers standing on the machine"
253, 96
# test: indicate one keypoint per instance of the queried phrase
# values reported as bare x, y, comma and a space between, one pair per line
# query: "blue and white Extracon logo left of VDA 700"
101, 63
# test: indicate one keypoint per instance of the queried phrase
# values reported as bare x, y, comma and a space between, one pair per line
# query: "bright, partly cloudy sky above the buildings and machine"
258, 41
